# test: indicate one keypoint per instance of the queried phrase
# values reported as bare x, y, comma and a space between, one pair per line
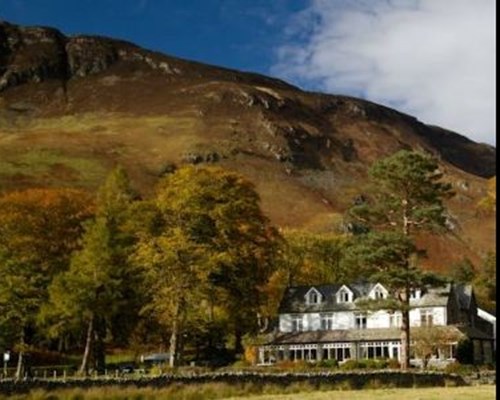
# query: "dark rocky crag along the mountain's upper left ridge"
36, 54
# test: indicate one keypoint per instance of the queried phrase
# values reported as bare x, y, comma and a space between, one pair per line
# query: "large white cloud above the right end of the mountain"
434, 59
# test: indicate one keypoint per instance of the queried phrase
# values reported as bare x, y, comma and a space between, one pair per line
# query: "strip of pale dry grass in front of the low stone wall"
217, 391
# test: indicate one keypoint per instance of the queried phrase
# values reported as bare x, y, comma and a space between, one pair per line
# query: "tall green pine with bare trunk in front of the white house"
408, 196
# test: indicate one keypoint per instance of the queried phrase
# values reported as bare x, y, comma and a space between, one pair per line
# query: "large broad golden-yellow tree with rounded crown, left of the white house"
215, 216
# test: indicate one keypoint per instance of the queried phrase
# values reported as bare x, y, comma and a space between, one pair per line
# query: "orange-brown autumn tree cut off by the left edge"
39, 228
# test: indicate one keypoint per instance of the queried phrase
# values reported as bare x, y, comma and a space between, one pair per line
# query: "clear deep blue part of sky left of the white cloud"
240, 34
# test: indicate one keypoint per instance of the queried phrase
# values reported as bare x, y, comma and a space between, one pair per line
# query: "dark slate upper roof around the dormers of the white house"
294, 298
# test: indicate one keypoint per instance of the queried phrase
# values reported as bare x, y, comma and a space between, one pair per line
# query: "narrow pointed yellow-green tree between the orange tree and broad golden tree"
96, 286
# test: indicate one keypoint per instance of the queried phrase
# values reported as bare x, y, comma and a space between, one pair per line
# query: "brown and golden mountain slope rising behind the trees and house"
73, 107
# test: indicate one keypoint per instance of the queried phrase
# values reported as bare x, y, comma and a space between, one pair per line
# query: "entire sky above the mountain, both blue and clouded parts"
433, 59
